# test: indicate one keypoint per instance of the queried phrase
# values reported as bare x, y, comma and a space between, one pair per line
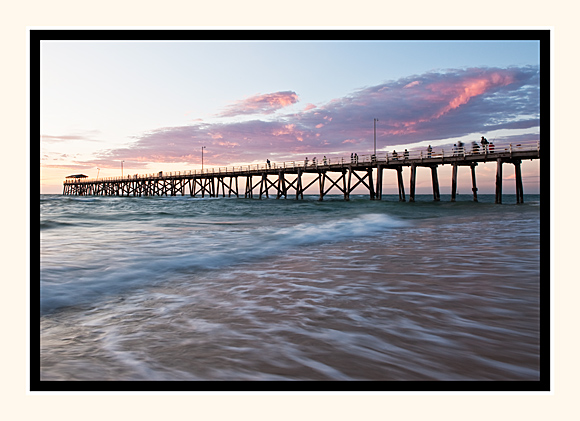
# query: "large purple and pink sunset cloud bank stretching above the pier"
432, 106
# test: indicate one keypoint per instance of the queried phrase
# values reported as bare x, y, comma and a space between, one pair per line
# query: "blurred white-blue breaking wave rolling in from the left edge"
150, 261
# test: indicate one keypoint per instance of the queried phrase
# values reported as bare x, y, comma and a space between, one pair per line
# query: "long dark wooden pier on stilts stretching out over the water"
285, 179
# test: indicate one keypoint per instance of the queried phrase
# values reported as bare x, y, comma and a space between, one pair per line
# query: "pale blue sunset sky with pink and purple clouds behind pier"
152, 106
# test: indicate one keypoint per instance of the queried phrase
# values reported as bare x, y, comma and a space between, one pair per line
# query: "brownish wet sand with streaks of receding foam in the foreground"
412, 306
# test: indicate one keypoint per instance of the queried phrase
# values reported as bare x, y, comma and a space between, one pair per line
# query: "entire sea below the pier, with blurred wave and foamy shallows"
181, 288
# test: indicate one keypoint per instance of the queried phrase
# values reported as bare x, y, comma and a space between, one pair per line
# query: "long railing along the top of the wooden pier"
388, 157
